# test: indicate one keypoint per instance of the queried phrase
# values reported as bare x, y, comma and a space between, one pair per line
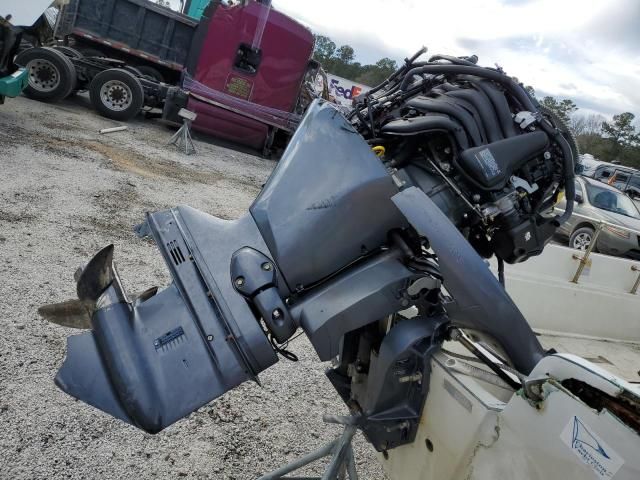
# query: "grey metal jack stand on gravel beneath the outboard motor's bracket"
341, 452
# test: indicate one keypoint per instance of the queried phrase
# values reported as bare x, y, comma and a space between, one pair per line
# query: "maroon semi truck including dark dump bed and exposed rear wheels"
247, 63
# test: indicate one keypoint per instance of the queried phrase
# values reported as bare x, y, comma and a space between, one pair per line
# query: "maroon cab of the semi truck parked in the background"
230, 56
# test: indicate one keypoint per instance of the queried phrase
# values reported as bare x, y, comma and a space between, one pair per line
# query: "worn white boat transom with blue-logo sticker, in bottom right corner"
468, 432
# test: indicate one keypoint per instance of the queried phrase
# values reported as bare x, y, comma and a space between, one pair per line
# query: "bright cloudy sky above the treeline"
586, 50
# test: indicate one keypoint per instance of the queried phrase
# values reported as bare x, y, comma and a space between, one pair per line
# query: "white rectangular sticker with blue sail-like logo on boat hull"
591, 449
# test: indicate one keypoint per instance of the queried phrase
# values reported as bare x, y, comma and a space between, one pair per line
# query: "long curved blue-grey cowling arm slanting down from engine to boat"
481, 303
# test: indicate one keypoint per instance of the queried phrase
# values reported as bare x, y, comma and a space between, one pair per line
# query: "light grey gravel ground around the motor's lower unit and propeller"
65, 192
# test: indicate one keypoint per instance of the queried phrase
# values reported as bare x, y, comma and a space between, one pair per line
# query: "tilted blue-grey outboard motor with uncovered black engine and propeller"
341, 243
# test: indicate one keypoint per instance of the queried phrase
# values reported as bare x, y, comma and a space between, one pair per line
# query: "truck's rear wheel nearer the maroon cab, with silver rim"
116, 94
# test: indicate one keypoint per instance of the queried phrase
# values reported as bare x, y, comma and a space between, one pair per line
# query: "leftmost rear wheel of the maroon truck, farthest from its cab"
52, 76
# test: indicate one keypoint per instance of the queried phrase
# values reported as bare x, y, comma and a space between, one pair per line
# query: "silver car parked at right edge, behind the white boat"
597, 201
